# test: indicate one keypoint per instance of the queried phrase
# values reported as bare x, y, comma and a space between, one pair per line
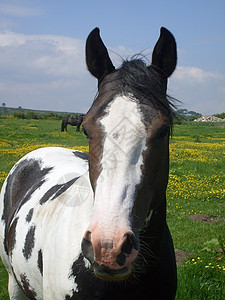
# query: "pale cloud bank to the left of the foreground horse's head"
43, 71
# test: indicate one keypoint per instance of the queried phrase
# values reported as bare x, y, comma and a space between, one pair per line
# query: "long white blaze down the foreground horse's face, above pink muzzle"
125, 141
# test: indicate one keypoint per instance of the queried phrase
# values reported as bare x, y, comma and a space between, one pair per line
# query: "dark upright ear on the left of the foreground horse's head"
97, 58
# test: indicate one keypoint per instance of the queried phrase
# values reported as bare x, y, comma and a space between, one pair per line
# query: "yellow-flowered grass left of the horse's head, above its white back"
18, 137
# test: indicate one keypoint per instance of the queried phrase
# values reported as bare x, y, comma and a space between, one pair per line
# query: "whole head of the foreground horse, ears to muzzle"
128, 127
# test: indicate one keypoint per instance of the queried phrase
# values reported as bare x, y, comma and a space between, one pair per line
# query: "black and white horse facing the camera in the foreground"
93, 226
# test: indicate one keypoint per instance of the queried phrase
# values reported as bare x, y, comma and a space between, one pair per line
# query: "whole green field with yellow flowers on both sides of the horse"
196, 187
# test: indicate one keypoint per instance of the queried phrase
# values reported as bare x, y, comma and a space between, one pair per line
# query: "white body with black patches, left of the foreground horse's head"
41, 226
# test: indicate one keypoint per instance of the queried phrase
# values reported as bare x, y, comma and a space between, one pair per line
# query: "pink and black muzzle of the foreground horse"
110, 262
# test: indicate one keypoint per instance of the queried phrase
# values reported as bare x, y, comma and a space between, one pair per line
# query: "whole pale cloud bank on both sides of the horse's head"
49, 72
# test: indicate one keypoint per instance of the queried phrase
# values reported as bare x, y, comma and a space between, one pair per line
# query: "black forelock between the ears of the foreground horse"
145, 84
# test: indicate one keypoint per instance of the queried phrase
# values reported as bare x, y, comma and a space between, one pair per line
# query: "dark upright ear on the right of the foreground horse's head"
164, 56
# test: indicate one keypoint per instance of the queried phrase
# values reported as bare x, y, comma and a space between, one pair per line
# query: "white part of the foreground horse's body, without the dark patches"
60, 224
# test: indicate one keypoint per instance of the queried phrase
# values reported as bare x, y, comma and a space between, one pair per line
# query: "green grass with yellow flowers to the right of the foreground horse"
196, 186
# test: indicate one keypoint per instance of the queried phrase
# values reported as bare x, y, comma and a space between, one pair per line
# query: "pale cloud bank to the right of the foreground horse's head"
198, 89
